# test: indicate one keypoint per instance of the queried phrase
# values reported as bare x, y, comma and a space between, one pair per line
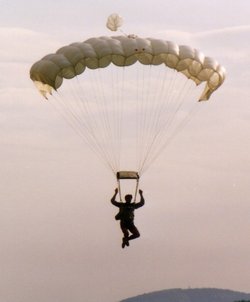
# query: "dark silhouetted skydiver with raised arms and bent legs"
126, 216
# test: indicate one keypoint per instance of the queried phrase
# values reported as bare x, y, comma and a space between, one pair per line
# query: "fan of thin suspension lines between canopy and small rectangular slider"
94, 109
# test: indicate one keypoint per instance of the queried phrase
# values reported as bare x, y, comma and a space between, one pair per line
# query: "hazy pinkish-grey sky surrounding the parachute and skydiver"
59, 239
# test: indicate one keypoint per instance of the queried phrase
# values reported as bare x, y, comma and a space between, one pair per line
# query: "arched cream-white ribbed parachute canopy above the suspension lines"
72, 60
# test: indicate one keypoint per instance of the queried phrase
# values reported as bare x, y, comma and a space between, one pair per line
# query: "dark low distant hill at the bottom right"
191, 295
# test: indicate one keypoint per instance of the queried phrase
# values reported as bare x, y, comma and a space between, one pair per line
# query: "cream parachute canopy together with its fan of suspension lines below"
133, 96
